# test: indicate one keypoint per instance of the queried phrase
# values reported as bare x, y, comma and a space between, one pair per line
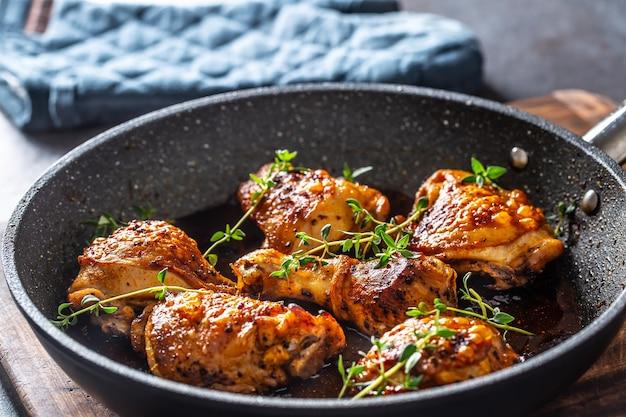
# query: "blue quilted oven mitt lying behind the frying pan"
105, 63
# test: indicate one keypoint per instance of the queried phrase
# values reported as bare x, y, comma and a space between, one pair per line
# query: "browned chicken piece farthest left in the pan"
129, 260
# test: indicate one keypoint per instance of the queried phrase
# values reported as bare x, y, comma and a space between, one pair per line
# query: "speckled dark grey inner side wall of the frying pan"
193, 159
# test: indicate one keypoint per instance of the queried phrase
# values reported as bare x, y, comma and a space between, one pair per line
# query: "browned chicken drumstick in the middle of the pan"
374, 300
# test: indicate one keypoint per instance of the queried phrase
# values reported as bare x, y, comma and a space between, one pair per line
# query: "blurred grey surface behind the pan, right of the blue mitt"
534, 46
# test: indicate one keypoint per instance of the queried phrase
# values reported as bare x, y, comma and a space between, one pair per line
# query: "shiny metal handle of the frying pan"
610, 134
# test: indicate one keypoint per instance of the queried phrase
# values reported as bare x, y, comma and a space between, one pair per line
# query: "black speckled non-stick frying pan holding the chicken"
193, 155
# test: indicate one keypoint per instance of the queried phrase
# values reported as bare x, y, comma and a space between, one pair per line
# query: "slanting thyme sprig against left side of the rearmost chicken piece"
282, 162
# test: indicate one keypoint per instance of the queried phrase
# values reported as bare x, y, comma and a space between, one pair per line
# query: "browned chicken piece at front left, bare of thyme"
235, 343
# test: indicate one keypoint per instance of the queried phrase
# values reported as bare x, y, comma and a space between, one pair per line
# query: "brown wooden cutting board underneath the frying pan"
40, 388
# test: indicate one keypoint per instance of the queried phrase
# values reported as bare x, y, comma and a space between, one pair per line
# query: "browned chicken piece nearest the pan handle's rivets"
484, 229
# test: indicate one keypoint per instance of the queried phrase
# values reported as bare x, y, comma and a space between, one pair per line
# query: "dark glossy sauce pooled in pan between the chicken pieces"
546, 307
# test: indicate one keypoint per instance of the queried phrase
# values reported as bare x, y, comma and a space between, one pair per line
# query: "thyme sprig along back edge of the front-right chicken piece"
492, 315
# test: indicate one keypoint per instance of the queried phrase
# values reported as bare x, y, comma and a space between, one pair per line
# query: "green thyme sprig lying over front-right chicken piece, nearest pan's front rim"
410, 356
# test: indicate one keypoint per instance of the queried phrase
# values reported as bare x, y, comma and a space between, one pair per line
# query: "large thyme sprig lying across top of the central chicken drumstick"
386, 240
